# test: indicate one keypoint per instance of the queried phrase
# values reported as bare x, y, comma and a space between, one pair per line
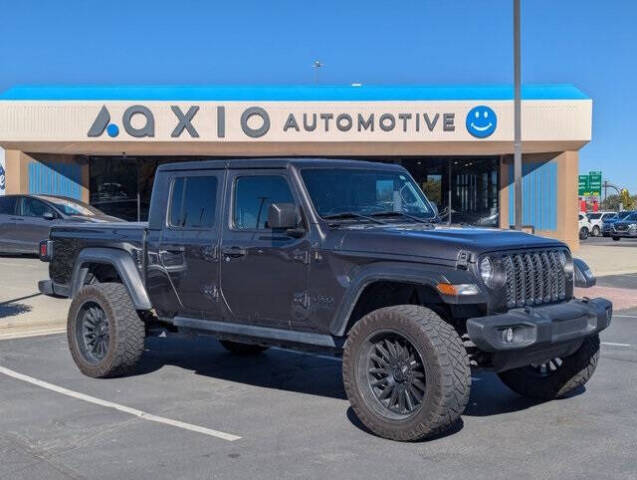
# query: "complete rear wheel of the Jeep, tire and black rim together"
104, 331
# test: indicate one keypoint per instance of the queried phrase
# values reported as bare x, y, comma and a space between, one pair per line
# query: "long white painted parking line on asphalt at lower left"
121, 408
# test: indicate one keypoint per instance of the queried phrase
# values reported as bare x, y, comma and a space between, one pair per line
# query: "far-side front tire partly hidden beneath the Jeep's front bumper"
576, 370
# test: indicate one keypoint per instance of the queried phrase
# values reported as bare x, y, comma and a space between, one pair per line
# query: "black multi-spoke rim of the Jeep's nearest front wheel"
395, 373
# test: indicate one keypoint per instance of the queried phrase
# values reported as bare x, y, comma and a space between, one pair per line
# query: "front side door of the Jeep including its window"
263, 272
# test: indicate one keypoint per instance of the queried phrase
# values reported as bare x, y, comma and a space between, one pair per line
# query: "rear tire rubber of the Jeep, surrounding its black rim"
126, 330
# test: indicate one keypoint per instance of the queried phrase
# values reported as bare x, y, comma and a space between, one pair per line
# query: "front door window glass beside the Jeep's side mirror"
253, 196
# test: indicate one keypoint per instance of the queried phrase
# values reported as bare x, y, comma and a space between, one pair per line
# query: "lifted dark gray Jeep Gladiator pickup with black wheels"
337, 256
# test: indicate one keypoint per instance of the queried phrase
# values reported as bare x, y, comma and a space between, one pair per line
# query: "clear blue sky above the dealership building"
588, 43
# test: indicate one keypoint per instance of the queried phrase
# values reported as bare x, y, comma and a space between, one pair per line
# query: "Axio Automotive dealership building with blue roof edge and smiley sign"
103, 144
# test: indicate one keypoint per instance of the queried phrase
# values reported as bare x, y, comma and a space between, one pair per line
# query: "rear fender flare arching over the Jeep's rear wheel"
123, 264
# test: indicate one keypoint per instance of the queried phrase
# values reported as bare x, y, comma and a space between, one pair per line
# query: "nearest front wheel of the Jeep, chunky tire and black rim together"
406, 373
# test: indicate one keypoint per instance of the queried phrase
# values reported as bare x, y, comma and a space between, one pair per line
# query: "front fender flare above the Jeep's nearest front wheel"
417, 274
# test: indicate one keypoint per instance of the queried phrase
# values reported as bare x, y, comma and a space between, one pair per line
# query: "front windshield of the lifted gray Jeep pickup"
339, 191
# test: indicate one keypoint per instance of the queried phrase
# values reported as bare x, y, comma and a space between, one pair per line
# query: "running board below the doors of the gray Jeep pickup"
256, 332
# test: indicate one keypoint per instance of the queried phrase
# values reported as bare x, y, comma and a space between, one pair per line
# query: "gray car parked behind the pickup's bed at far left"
27, 219
